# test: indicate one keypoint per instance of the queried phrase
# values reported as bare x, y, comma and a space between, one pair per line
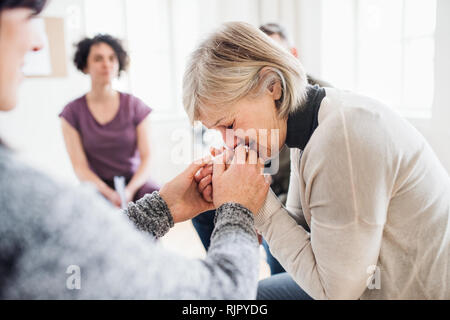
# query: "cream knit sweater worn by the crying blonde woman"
377, 201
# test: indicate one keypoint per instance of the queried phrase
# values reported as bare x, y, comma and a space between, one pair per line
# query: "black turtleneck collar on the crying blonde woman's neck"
302, 123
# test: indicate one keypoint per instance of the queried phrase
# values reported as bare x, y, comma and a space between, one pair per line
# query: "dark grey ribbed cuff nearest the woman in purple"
151, 214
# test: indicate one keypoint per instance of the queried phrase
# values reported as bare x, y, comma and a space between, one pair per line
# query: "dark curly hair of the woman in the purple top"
84, 47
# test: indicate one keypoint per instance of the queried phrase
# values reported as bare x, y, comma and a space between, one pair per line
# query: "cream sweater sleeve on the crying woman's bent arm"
346, 191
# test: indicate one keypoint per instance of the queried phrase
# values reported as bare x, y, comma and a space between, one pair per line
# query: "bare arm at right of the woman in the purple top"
143, 172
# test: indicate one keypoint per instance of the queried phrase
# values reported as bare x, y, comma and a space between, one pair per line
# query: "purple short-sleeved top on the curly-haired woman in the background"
111, 149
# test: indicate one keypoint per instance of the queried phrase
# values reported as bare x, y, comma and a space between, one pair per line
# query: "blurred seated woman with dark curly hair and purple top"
107, 132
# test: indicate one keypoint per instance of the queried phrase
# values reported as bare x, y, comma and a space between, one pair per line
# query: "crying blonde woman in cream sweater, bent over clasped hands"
371, 190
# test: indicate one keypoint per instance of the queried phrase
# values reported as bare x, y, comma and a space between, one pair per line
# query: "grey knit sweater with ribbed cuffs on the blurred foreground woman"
70, 243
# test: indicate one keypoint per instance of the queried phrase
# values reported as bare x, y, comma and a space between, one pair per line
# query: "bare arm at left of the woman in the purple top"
80, 164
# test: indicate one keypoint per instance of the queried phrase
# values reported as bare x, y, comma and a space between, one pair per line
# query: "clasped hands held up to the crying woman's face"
232, 176
